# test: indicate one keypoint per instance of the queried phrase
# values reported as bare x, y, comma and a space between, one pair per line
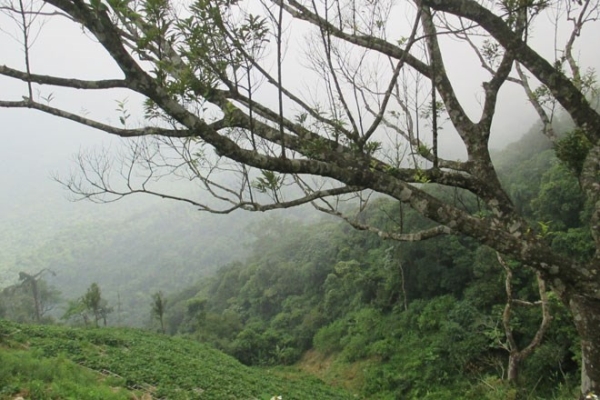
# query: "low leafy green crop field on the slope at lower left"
164, 367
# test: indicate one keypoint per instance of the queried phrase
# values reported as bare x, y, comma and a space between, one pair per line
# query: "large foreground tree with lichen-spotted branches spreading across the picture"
216, 114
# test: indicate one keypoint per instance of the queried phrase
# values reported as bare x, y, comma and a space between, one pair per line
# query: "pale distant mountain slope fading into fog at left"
132, 248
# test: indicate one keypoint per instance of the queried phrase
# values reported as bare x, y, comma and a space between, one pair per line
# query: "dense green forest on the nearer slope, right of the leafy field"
401, 320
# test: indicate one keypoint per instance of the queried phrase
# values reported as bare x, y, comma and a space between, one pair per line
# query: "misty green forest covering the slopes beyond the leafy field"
378, 318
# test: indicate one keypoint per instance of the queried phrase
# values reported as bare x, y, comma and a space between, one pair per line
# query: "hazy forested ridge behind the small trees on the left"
130, 255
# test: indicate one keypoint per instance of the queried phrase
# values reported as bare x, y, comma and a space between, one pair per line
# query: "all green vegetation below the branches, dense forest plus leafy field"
381, 319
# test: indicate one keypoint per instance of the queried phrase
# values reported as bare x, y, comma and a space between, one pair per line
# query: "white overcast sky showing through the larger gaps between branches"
34, 145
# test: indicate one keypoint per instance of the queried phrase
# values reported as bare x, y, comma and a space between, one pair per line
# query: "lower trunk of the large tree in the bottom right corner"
586, 314
